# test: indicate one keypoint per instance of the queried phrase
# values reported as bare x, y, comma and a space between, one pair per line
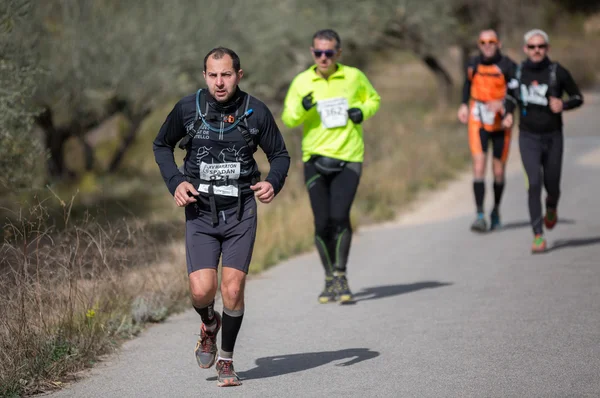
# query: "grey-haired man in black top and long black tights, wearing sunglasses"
542, 83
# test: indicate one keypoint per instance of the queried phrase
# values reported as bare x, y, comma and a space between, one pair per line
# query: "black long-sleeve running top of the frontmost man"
209, 148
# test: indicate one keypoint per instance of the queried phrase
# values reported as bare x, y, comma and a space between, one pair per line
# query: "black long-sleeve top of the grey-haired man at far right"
535, 88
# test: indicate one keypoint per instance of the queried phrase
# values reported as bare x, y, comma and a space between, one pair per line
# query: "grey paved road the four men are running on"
440, 311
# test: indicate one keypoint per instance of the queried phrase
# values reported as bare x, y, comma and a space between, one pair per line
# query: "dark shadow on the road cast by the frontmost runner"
291, 363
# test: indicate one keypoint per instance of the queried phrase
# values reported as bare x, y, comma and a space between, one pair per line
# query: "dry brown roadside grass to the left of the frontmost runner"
72, 295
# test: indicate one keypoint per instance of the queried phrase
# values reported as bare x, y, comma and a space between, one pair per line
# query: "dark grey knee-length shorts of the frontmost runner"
233, 239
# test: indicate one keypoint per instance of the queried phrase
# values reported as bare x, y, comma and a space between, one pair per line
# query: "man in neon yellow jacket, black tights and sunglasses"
331, 100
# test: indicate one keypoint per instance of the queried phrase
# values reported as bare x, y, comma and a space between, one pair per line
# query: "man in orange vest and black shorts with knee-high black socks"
489, 76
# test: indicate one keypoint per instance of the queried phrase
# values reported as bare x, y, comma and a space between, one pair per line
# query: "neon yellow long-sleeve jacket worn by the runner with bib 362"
346, 142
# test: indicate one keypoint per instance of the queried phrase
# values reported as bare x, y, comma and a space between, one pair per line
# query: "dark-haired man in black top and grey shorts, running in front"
221, 128
